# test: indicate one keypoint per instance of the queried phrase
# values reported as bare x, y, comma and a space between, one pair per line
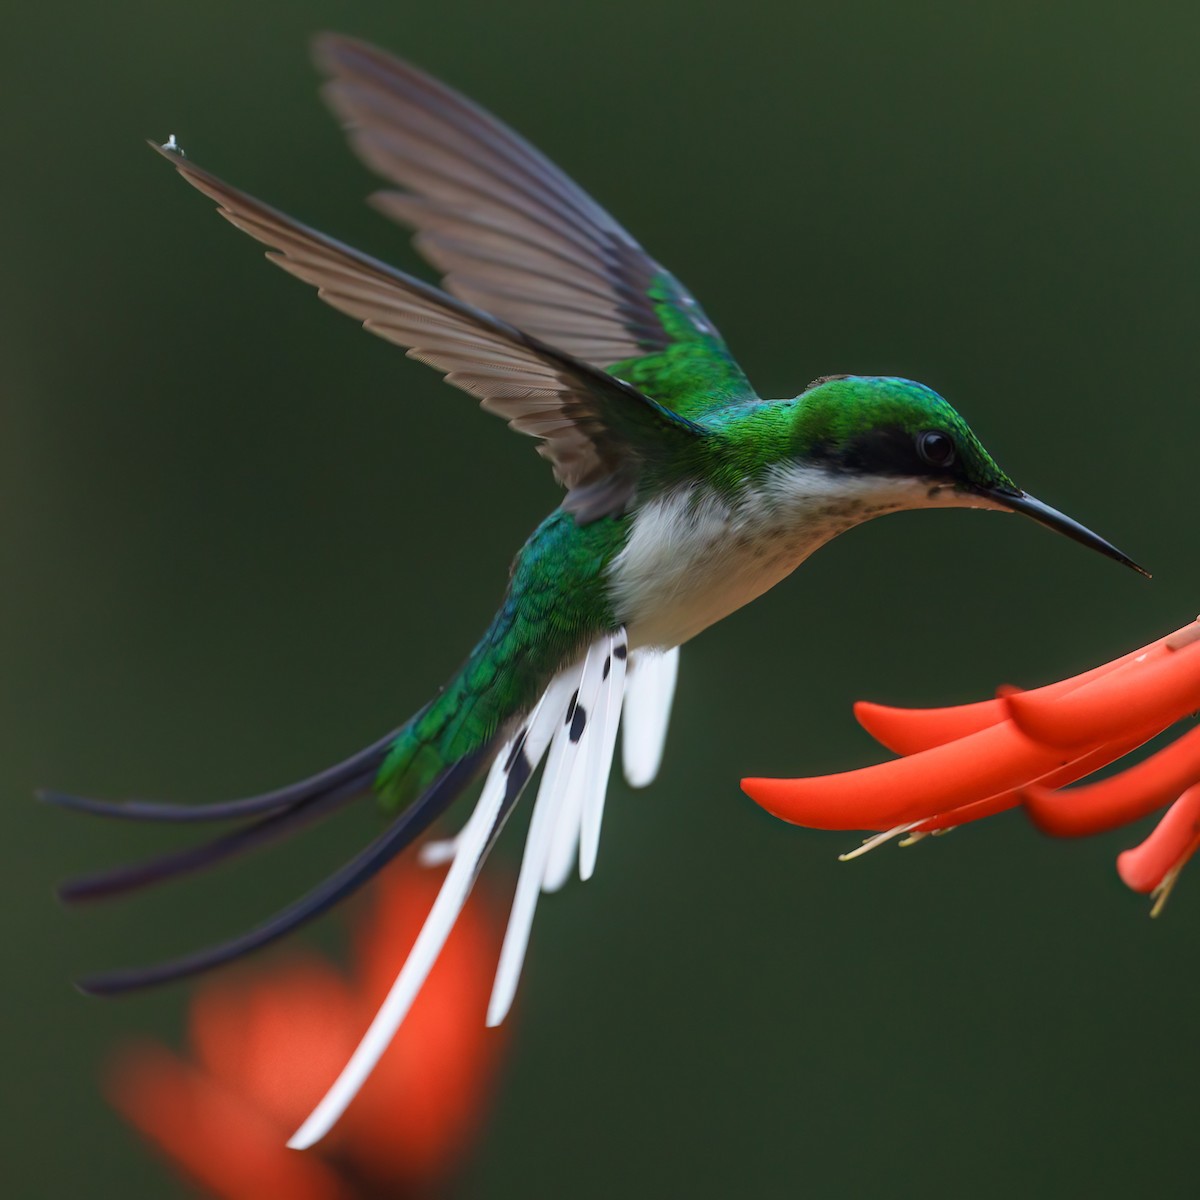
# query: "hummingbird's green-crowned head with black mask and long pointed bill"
905, 434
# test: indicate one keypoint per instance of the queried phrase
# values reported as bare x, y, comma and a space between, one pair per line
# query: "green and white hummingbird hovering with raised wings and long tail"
687, 496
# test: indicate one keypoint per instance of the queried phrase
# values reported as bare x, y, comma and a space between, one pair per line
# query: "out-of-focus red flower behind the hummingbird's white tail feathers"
267, 1046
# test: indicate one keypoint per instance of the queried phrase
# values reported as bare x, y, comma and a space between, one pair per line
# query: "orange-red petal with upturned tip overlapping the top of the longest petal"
1157, 688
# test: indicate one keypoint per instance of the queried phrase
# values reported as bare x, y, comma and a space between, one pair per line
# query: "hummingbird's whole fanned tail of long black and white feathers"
418, 776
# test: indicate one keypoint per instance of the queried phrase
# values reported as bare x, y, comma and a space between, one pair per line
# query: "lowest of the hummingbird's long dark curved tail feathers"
405, 830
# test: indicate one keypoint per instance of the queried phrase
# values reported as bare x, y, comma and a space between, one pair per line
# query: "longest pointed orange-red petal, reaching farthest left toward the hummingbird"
919, 787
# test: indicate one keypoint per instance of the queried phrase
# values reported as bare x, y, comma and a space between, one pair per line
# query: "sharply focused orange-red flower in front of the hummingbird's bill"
971, 761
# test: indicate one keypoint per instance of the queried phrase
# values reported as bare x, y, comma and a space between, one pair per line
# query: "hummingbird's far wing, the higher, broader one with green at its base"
514, 236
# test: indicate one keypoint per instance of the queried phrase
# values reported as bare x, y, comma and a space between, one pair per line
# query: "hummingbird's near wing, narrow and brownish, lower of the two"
596, 430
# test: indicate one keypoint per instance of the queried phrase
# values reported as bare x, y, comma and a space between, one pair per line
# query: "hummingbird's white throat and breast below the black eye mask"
694, 556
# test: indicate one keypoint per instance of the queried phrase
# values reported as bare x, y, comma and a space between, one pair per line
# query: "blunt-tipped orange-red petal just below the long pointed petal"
1135, 794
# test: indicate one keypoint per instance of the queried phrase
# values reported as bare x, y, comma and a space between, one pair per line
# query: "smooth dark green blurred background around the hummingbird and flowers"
241, 539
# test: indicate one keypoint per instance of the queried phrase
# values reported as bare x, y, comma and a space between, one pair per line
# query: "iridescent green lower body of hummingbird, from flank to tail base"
556, 603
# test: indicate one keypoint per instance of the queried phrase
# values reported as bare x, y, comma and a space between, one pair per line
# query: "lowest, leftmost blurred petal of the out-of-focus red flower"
219, 1138
